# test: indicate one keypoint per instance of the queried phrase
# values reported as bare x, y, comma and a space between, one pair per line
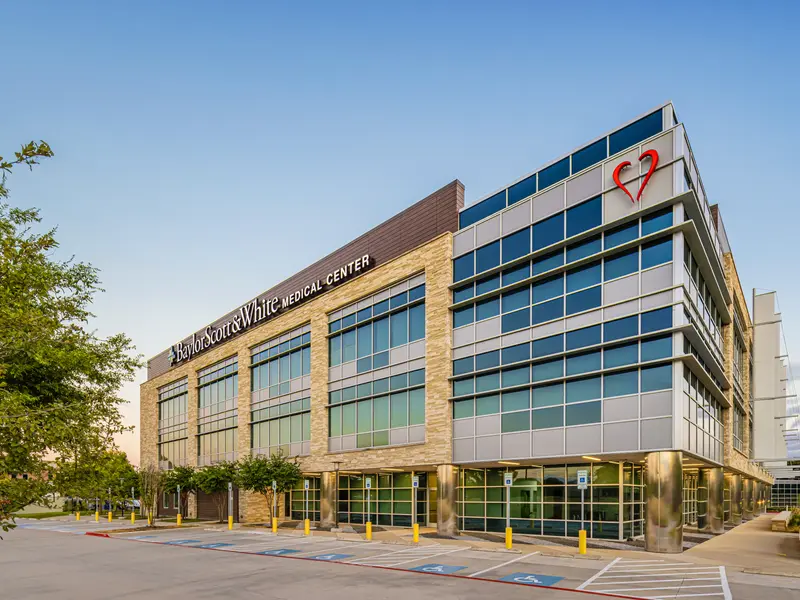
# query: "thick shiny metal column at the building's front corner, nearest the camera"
664, 519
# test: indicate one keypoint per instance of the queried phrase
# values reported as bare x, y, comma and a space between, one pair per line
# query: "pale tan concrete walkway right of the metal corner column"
752, 547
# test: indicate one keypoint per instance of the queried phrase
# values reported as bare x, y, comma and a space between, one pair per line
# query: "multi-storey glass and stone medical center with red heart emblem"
586, 317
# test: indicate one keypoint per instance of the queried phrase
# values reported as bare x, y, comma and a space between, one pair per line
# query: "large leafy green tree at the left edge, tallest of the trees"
59, 381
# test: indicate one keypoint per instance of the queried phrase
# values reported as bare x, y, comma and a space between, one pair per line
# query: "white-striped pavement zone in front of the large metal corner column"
660, 578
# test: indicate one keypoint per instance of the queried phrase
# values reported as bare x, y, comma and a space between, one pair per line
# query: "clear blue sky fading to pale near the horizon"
206, 151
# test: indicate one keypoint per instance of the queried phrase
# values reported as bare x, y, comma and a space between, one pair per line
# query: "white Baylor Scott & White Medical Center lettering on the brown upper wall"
261, 310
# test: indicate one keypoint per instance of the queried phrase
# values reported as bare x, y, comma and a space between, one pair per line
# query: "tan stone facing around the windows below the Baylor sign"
432, 258
